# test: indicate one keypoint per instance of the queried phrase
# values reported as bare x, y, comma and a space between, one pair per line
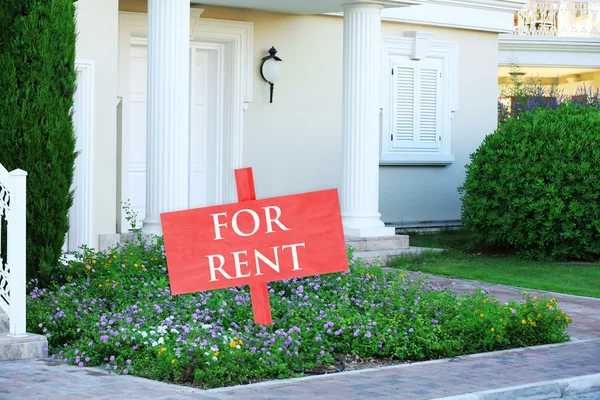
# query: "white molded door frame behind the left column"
236, 40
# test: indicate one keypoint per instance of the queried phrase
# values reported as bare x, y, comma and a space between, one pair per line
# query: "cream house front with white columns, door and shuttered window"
383, 100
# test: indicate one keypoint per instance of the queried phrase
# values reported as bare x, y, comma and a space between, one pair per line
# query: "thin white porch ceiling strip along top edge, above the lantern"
302, 6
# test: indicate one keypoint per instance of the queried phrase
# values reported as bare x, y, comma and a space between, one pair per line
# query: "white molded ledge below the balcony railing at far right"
549, 51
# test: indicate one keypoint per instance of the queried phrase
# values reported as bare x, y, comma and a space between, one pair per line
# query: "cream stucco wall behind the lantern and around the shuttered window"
294, 144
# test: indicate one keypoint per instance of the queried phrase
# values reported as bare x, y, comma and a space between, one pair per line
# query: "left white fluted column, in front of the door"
167, 182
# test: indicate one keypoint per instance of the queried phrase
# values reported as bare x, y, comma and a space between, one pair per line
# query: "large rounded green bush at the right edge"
533, 186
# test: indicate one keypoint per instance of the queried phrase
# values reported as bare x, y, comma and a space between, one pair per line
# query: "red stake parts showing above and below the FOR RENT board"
259, 292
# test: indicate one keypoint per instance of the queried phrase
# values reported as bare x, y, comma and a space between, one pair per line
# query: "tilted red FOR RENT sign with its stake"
254, 242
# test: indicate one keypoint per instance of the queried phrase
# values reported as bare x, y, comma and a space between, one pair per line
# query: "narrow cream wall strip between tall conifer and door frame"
97, 29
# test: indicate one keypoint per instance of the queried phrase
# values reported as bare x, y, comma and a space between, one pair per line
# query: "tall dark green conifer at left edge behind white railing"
37, 84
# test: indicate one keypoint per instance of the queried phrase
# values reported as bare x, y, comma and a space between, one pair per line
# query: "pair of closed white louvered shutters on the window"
416, 107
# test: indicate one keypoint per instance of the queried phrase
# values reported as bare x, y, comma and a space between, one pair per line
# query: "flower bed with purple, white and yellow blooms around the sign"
115, 310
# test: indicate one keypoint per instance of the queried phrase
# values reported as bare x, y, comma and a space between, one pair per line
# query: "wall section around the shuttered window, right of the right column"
420, 193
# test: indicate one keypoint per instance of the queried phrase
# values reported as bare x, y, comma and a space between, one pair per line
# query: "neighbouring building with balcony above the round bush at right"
556, 44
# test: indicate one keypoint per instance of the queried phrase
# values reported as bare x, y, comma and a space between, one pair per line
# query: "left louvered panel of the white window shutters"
403, 109
